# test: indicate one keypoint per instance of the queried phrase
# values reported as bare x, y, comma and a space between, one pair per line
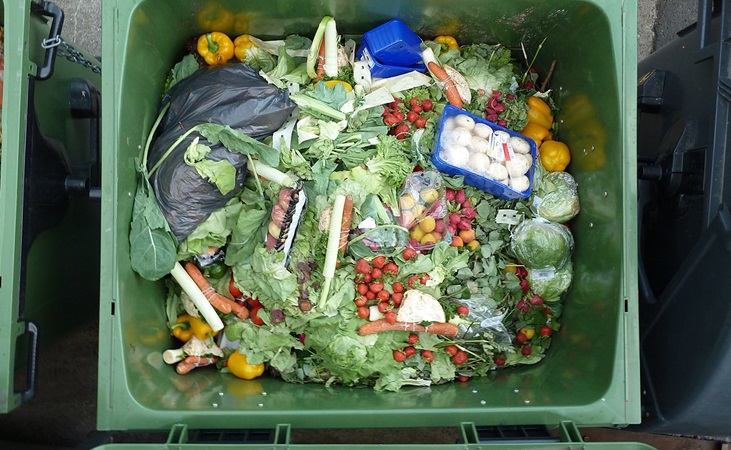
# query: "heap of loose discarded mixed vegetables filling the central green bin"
342, 255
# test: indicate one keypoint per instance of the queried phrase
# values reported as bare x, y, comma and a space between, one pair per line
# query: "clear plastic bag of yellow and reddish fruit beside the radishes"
423, 207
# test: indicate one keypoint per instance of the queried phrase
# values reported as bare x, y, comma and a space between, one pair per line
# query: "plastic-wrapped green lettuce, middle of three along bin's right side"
541, 244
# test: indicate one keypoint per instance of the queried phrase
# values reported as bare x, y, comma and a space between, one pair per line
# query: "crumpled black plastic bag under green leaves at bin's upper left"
233, 95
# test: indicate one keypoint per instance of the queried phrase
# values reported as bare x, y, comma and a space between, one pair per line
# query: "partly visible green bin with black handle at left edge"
49, 227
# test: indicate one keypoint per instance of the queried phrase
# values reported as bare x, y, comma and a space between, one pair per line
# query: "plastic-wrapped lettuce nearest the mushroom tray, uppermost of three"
557, 199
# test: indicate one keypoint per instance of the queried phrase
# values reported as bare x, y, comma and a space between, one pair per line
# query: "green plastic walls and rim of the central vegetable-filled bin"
591, 373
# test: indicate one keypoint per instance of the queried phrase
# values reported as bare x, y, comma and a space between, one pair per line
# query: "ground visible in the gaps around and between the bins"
63, 413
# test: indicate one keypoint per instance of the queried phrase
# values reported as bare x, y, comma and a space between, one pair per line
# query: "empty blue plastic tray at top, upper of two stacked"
394, 44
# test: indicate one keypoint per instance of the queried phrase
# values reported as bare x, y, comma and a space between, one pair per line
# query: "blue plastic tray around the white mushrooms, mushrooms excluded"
473, 178
